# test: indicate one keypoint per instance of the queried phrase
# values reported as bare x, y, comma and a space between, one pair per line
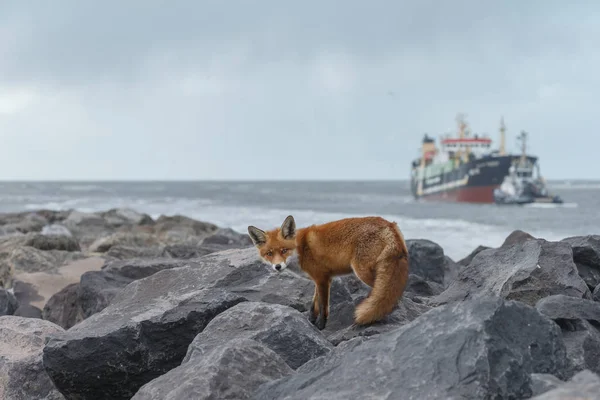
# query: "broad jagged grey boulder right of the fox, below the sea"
526, 271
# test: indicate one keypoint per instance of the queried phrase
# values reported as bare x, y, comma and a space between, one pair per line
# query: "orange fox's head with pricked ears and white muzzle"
277, 245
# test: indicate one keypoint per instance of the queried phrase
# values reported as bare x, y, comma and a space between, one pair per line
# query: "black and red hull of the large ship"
471, 182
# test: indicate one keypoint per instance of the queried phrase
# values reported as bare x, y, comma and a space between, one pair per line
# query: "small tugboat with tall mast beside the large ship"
520, 186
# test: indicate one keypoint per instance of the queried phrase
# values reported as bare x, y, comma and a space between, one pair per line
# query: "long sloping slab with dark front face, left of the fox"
148, 326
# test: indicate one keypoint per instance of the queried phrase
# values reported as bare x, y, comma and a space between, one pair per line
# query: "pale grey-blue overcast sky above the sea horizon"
289, 90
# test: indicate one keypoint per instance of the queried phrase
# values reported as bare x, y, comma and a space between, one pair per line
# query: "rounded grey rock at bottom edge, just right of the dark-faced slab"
233, 370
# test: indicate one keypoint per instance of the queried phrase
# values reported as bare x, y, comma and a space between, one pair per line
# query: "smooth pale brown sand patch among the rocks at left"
36, 288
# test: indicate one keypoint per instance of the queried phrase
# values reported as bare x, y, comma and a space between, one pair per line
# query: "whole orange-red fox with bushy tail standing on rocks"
371, 247
